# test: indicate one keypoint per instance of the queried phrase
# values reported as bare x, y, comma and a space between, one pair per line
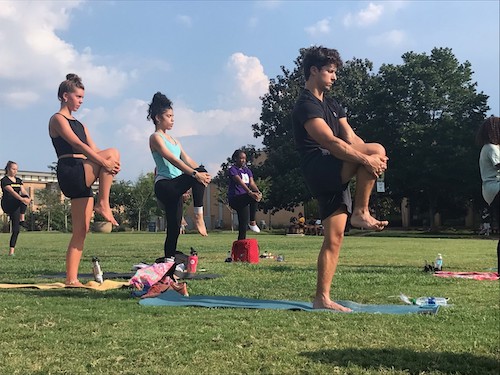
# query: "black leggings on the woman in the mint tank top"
169, 193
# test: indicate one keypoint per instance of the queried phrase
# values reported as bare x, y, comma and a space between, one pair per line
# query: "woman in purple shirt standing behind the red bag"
243, 194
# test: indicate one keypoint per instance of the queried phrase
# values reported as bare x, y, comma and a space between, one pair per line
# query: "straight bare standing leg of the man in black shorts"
328, 258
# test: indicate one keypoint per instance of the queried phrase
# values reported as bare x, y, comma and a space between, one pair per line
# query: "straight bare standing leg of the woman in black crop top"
81, 212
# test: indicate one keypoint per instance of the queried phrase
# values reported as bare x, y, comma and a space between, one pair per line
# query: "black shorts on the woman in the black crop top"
71, 178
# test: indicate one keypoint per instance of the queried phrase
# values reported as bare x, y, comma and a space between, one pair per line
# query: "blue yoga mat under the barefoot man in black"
172, 298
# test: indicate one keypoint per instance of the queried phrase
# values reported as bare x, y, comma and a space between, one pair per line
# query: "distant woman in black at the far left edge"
15, 200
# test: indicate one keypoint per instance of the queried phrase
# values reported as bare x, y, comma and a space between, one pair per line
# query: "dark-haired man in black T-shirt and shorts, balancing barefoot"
331, 154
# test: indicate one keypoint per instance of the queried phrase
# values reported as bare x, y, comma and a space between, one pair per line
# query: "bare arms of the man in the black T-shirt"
319, 130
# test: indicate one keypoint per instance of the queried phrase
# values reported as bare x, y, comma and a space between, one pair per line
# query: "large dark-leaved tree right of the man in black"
425, 112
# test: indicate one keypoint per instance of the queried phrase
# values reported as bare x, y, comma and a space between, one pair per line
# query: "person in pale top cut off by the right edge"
488, 137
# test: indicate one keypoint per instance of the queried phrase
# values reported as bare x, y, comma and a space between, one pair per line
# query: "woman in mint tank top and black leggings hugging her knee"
176, 173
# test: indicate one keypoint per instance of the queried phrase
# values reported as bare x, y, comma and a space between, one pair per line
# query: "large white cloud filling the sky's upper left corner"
36, 58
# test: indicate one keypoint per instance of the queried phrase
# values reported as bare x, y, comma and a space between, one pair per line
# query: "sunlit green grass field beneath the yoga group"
89, 332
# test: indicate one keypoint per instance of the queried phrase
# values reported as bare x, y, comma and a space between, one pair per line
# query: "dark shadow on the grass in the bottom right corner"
407, 360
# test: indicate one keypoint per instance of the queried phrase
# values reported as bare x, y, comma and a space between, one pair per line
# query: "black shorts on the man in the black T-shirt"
323, 179
